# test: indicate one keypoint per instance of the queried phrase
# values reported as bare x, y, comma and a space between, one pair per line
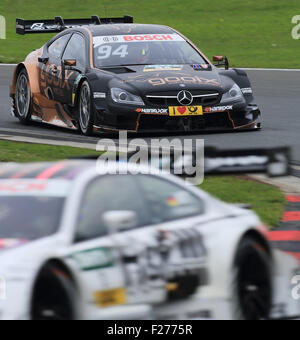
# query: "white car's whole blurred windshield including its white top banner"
31, 209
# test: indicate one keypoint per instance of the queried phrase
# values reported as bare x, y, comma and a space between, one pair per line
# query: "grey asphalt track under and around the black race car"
277, 93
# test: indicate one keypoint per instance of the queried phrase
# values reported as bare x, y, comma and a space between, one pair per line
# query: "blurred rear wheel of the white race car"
252, 281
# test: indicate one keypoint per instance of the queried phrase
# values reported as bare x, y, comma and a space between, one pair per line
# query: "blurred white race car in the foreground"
76, 244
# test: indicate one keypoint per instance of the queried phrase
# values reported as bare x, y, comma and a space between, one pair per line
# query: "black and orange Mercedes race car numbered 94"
110, 74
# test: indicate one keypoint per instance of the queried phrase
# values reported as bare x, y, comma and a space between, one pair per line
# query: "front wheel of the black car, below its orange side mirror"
85, 110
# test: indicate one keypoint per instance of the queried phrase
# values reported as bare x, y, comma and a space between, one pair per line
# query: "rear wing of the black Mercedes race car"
59, 24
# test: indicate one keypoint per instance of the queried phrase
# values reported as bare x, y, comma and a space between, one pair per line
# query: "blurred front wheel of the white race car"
55, 296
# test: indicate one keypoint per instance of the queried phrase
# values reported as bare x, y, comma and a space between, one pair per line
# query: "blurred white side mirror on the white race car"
119, 220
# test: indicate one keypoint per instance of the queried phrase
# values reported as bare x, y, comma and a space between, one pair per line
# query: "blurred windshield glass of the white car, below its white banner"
29, 217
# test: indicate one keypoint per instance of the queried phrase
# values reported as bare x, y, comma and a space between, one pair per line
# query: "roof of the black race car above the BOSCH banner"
124, 29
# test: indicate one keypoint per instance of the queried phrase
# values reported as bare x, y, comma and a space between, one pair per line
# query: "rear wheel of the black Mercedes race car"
22, 103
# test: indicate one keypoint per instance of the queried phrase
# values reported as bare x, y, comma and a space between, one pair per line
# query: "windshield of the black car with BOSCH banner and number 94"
153, 49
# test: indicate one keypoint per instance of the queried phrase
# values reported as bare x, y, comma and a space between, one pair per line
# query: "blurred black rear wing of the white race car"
273, 162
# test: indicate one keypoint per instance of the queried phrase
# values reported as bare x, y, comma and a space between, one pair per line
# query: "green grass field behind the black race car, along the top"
251, 33
